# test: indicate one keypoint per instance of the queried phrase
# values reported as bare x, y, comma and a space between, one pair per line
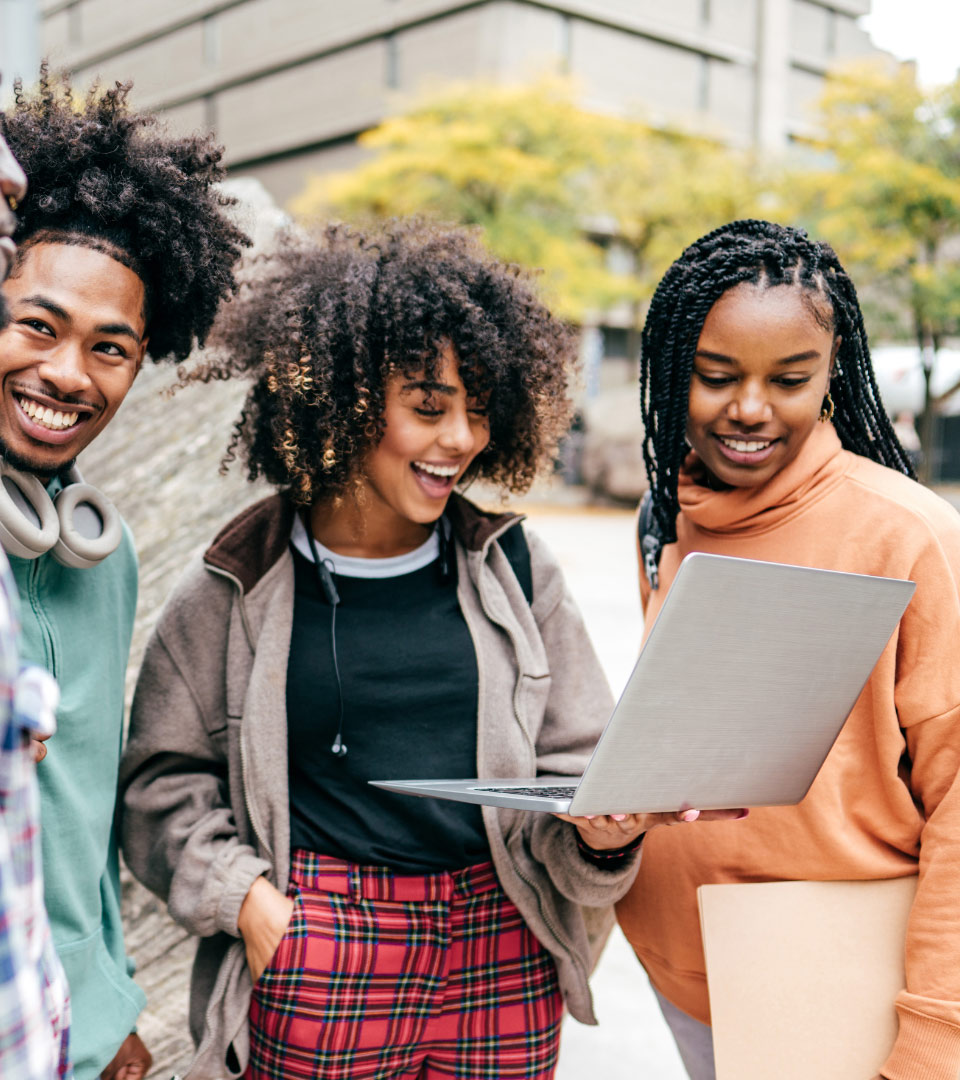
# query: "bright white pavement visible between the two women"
598, 550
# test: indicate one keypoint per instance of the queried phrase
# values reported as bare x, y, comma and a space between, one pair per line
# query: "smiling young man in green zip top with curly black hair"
124, 251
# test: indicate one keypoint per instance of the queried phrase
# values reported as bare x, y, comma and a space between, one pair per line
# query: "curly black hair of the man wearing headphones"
101, 175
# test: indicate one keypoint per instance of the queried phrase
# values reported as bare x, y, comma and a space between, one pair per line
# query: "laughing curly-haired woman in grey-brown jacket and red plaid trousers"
367, 623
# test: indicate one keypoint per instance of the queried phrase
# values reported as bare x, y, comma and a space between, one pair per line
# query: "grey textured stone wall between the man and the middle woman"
158, 461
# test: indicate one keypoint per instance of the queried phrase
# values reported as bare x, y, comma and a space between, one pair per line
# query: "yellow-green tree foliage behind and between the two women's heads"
552, 185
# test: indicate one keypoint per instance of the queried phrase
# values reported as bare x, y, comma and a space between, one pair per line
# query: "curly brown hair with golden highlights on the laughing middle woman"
332, 320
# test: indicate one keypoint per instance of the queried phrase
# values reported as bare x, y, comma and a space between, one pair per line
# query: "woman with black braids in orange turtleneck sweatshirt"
766, 439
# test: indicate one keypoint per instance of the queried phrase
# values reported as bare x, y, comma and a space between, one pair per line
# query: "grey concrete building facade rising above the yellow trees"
289, 85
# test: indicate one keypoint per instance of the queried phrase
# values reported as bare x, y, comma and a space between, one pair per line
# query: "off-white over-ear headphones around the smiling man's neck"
80, 526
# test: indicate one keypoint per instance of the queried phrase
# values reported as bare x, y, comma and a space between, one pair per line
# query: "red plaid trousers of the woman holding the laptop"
385, 976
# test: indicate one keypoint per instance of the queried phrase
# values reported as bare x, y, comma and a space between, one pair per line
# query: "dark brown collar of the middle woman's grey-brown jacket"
259, 536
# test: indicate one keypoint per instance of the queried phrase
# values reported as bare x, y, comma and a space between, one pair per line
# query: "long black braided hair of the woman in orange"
765, 255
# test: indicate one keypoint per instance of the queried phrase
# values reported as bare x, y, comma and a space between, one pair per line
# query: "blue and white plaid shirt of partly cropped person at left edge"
34, 1001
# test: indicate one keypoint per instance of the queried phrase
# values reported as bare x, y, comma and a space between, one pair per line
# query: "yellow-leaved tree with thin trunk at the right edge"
889, 199
